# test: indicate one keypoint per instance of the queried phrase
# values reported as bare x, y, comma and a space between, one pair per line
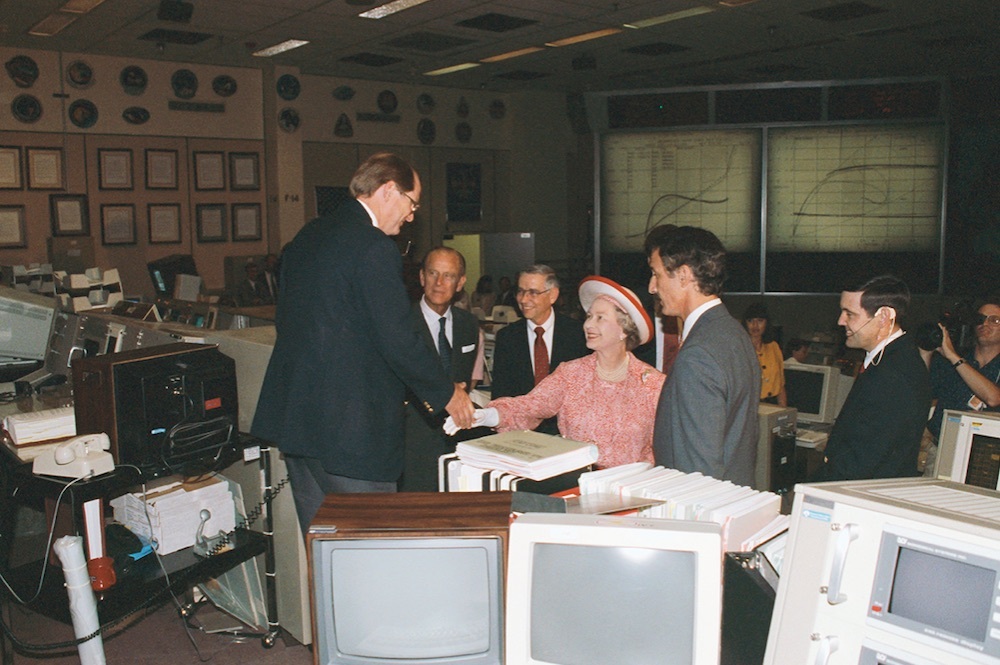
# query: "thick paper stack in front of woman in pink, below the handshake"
529, 454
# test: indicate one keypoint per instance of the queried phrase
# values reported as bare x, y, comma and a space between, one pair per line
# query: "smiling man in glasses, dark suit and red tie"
516, 366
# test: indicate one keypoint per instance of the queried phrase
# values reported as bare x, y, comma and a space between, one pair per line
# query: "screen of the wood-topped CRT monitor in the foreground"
412, 600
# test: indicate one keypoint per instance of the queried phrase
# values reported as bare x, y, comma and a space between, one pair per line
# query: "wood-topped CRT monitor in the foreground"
413, 578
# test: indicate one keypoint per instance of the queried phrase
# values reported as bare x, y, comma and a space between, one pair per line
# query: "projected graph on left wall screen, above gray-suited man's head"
708, 179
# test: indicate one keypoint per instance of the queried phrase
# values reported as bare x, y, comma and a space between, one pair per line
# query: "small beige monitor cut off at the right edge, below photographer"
969, 448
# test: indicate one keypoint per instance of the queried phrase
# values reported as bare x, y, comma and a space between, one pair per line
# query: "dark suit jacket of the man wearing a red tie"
513, 373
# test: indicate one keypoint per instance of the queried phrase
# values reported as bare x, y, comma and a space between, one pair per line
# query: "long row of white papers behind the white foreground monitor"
747, 516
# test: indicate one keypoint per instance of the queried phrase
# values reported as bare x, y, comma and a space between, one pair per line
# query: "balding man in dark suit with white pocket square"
453, 334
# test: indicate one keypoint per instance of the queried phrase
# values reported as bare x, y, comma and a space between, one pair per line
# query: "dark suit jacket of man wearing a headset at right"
877, 433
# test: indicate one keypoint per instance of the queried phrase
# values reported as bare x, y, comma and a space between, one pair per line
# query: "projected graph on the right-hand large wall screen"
854, 189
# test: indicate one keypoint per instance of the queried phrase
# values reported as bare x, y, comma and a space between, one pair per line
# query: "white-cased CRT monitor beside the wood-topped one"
593, 590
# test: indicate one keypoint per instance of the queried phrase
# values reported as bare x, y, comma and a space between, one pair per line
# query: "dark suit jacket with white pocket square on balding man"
425, 438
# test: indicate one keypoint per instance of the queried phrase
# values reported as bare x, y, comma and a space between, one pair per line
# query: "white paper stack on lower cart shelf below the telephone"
173, 510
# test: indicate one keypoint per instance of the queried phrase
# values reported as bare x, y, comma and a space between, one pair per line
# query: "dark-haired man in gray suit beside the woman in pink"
706, 419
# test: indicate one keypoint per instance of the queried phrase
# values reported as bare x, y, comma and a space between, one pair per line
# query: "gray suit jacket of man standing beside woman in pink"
706, 419
